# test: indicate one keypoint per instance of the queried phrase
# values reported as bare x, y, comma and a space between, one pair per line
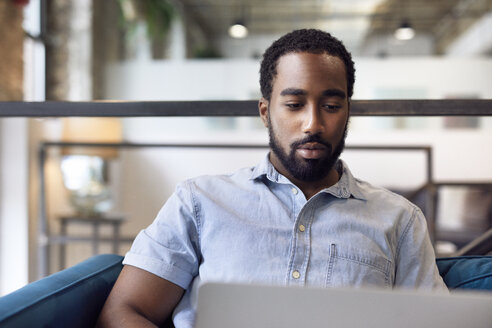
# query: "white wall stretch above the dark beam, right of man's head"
437, 78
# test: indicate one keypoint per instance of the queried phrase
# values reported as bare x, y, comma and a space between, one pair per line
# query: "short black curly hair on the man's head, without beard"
304, 40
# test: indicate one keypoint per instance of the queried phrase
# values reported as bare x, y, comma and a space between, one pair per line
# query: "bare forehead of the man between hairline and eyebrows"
306, 70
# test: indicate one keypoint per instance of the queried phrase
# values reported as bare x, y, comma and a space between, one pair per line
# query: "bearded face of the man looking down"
307, 115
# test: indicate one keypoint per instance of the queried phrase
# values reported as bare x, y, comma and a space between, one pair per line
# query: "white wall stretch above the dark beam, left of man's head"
206, 79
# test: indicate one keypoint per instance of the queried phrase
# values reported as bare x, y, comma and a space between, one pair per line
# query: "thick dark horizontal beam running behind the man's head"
445, 107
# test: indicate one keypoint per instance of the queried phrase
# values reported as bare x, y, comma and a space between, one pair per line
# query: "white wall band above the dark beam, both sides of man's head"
432, 77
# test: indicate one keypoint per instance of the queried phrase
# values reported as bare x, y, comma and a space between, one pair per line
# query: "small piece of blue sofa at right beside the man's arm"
466, 272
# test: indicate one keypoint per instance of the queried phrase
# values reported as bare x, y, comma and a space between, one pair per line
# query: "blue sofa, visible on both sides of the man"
74, 297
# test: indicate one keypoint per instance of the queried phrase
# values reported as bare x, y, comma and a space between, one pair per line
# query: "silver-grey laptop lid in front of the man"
247, 306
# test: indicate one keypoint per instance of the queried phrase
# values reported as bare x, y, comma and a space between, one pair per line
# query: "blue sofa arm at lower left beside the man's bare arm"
70, 298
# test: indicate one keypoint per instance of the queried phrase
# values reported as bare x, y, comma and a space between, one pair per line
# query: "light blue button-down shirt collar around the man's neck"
346, 187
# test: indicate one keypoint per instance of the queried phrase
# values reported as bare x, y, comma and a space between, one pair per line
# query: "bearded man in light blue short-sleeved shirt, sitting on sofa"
298, 218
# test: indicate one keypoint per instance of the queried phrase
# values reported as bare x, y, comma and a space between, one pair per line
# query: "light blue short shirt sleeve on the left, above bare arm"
169, 247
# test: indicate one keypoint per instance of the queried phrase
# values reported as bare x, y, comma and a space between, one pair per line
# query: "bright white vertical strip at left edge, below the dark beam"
13, 204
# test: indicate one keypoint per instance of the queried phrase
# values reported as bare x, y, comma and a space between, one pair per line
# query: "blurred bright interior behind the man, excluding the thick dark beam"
96, 199
